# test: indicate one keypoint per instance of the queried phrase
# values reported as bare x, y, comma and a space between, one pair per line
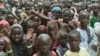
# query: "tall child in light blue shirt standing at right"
88, 37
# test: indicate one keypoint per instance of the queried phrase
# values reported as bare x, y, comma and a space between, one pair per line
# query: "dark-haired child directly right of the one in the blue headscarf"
67, 17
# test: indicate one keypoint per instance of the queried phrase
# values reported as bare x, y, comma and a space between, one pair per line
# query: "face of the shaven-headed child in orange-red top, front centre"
44, 45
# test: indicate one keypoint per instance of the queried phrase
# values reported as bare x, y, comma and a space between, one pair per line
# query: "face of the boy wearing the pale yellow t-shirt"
74, 41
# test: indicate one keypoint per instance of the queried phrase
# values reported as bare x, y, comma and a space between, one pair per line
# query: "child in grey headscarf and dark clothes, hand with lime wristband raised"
19, 46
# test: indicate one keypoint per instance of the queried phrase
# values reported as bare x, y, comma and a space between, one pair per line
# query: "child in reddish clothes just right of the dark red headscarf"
52, 31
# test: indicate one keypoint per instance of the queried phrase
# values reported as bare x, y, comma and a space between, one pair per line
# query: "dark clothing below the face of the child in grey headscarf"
19, 49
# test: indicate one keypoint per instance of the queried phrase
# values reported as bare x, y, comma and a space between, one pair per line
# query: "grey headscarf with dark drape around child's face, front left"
19, 49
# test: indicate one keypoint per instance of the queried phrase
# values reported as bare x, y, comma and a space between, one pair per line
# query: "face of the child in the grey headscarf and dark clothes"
16, 35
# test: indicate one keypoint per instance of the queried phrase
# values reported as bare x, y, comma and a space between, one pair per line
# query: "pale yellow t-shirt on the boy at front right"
82, 52
